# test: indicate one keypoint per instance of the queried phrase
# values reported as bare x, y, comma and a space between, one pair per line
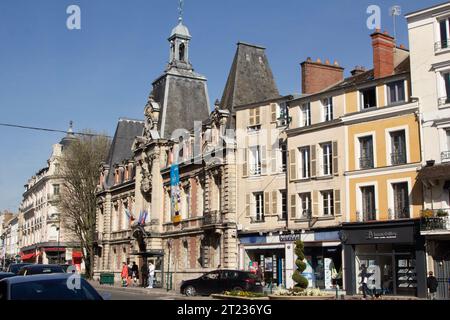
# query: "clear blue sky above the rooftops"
50, 75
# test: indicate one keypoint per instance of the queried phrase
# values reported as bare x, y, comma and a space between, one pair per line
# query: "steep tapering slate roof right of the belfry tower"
250, 79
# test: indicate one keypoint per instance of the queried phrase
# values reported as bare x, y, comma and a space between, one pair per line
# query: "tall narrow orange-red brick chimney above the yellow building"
383, 54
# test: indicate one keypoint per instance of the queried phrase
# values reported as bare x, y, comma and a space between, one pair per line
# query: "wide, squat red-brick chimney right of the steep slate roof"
317, 76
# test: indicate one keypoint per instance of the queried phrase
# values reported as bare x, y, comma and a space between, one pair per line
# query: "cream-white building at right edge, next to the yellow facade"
429, 34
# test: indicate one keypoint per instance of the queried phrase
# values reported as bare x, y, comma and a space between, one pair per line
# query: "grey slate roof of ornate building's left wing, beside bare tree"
120, 150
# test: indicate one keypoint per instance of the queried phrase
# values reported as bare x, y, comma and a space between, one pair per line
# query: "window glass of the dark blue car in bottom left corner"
56, 289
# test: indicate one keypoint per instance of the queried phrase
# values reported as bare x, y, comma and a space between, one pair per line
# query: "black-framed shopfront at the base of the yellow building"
393, 252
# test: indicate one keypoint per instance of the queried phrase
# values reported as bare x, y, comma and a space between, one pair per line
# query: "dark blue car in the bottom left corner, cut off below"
47, 287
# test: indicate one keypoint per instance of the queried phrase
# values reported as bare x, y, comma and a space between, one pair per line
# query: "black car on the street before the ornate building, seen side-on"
220, 281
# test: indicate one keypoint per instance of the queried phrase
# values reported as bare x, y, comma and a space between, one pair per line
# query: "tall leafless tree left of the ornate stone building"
79, 168
